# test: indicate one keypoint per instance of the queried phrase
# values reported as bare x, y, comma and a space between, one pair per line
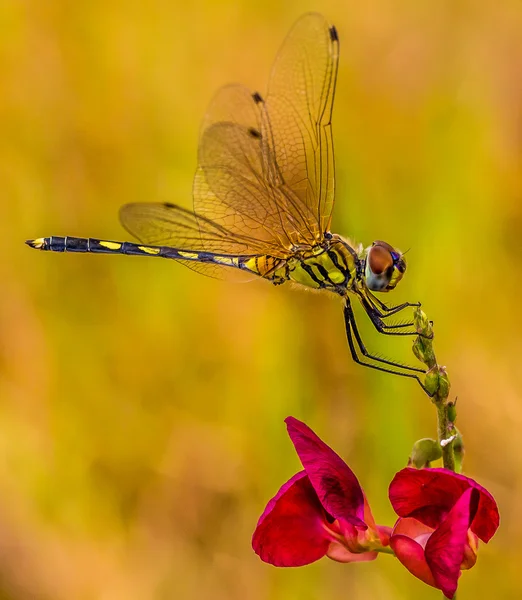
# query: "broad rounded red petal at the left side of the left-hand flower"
290, 532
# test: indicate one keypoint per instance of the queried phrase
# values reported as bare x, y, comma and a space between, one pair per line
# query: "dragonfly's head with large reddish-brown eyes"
384, 267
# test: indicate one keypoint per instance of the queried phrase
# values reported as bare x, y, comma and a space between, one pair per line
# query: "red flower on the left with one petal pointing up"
320, 511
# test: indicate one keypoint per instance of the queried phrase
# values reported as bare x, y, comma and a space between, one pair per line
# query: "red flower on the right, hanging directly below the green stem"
442, 517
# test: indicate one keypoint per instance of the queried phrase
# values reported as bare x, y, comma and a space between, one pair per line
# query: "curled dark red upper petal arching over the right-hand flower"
429, 494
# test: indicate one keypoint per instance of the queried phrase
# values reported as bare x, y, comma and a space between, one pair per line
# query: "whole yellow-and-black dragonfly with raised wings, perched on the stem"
263, 196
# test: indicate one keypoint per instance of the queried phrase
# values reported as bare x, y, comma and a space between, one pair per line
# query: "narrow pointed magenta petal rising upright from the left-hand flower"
334, 482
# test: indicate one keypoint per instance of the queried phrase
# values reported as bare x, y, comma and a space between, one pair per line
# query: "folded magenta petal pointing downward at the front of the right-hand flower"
445, 548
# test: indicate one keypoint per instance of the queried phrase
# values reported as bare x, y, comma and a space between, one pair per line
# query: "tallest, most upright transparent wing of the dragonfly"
299, 107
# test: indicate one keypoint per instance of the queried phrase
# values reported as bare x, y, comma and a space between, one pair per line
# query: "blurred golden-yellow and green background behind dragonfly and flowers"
142, 405
